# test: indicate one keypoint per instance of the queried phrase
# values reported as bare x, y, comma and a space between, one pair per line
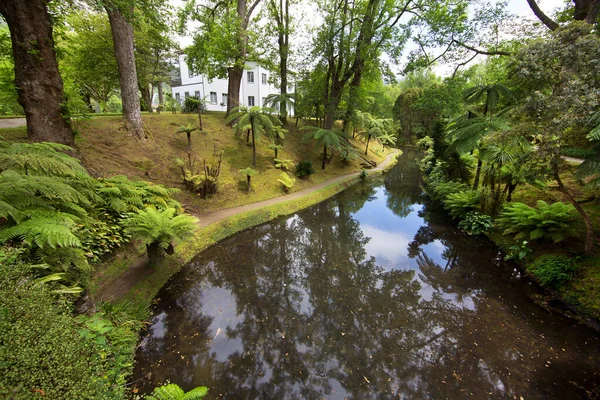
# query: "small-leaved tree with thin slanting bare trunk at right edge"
561, 91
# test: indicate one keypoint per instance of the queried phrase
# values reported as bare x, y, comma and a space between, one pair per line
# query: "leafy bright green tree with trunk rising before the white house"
221, 45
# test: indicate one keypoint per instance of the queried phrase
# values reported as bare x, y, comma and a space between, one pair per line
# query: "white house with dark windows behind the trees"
254, 89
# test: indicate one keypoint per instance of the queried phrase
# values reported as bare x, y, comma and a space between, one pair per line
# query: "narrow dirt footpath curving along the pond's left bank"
138, 268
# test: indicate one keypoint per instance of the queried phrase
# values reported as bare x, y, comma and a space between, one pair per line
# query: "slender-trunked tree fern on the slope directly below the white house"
258, 119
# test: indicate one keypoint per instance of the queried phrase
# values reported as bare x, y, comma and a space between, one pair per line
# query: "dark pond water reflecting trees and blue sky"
372, 294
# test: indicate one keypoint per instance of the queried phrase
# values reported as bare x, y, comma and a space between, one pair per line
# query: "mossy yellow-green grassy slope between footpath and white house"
107, 151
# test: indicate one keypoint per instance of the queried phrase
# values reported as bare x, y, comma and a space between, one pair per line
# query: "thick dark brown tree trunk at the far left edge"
38, 82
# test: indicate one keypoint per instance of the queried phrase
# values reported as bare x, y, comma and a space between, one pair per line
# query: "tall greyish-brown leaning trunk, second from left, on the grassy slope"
122, 32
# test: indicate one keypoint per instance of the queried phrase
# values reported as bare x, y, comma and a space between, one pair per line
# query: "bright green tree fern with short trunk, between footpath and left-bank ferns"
159, 229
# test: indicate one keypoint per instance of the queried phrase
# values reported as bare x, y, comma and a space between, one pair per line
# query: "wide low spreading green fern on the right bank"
547, 221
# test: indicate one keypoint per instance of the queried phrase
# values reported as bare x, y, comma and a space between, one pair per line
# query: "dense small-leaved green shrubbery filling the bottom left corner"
41, 349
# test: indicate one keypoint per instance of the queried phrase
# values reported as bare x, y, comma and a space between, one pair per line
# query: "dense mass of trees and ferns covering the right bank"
497, 164
